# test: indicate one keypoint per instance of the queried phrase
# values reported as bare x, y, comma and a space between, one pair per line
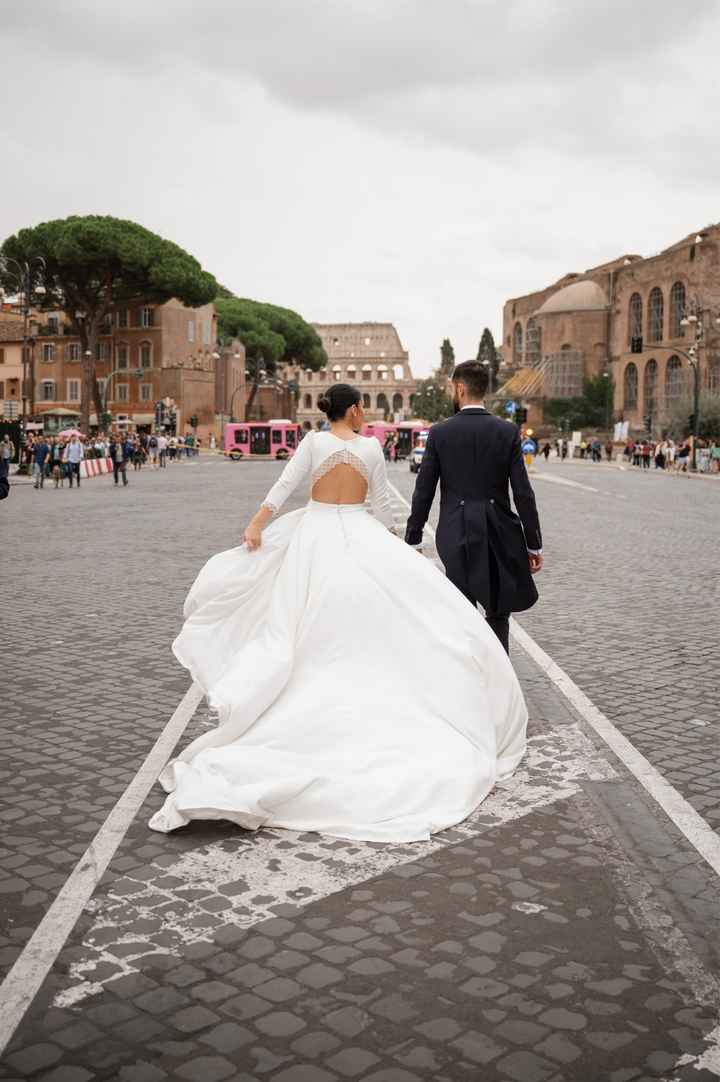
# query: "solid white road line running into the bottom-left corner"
22, 984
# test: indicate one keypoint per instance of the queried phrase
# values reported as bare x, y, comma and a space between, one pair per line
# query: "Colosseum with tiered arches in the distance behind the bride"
372, 358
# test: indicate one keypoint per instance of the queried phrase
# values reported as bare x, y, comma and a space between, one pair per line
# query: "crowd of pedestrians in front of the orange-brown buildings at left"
57, 459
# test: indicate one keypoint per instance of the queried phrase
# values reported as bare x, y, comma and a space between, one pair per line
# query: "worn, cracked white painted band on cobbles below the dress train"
256, 874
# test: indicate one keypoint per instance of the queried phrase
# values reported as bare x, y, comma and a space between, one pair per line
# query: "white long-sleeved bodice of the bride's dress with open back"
322, 452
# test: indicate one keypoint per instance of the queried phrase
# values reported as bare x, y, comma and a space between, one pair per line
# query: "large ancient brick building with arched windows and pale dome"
624, 319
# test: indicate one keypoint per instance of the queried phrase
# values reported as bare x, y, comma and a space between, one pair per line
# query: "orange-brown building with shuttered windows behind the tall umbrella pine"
145, 354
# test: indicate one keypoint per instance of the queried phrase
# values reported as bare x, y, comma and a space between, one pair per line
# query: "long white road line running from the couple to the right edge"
678, 810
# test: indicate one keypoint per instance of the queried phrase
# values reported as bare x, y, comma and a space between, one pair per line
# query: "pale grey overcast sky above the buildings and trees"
408, 161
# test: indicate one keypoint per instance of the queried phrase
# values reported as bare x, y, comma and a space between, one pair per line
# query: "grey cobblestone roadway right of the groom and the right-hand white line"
630, 600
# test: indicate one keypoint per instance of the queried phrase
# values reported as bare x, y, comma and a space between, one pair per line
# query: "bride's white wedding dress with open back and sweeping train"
359, 693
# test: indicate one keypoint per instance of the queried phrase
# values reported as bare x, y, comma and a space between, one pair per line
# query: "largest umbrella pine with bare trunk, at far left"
95, 263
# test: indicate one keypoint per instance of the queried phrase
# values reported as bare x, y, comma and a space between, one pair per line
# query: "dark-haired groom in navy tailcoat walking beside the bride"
490, 553
